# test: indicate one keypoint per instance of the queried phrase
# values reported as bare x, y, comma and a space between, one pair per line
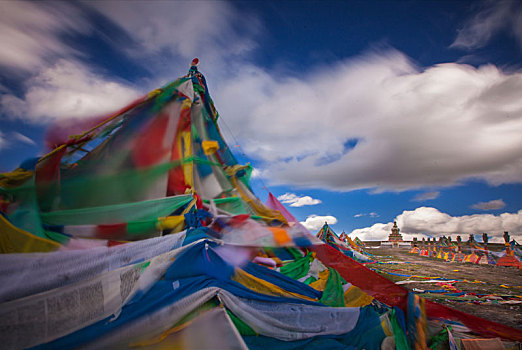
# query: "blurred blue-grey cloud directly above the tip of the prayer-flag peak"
171, 33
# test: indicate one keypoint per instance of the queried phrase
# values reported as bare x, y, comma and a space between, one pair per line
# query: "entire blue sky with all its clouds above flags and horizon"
357, 113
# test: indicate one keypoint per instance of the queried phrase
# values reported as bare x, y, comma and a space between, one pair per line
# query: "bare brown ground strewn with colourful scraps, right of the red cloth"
498, 289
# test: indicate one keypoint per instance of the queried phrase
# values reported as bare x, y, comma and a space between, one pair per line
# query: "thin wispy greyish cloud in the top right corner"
493, 18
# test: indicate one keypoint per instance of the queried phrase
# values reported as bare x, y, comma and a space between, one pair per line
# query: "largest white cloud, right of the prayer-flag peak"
398, 113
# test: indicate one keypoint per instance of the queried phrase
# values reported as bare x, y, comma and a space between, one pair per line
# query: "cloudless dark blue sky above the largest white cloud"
314, 32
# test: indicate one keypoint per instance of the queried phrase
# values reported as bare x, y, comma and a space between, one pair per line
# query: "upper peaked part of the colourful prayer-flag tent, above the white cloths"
136, 174
